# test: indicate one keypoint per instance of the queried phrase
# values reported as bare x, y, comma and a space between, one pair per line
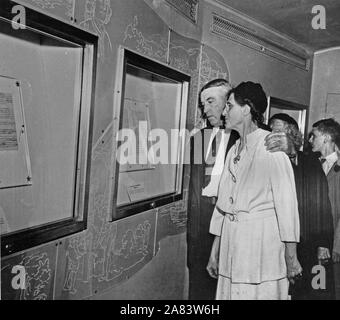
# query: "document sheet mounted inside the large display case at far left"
15, 169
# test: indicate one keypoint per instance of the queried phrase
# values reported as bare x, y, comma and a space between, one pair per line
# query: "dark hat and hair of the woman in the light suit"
252, 94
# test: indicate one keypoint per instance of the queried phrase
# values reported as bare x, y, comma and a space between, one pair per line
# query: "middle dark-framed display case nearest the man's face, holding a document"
151, 105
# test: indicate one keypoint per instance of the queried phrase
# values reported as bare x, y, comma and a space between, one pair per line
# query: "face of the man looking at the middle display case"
213, 101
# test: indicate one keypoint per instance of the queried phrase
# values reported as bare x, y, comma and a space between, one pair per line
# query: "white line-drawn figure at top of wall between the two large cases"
97, 15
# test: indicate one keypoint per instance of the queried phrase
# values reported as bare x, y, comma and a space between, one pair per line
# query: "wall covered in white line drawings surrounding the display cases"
142, 256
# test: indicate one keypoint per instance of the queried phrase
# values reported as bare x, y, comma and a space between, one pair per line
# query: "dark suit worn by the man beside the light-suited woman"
200, 208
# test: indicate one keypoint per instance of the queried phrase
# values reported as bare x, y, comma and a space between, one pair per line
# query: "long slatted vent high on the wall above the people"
249, 38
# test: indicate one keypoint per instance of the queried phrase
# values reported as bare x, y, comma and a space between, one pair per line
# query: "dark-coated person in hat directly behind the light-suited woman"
315, 213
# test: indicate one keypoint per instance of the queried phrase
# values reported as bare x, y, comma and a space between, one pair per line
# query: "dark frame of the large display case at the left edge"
37, 235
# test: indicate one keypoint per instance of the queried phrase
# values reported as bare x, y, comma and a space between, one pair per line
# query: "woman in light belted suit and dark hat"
255, 221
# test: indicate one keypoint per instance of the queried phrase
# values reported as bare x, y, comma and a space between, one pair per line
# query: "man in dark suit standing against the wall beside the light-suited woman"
207, 145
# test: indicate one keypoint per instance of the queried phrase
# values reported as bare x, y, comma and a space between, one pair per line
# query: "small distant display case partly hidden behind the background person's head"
297, 111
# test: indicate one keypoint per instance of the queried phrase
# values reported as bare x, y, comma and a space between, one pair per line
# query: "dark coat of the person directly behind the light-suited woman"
316, 226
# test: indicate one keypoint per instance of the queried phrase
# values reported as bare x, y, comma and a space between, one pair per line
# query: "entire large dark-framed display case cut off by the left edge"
53, 65
